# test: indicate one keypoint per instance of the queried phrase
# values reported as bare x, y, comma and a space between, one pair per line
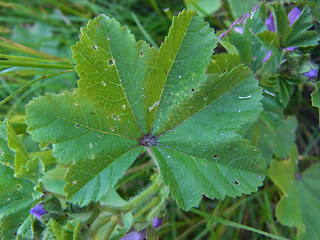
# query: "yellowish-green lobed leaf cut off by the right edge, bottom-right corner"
300, 204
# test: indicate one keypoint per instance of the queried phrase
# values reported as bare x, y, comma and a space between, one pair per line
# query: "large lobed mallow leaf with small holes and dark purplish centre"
131, 98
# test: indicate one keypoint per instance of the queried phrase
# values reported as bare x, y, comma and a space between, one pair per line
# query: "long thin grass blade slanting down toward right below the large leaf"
236, 225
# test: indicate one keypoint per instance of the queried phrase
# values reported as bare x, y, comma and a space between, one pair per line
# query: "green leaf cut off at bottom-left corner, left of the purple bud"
16, 200
